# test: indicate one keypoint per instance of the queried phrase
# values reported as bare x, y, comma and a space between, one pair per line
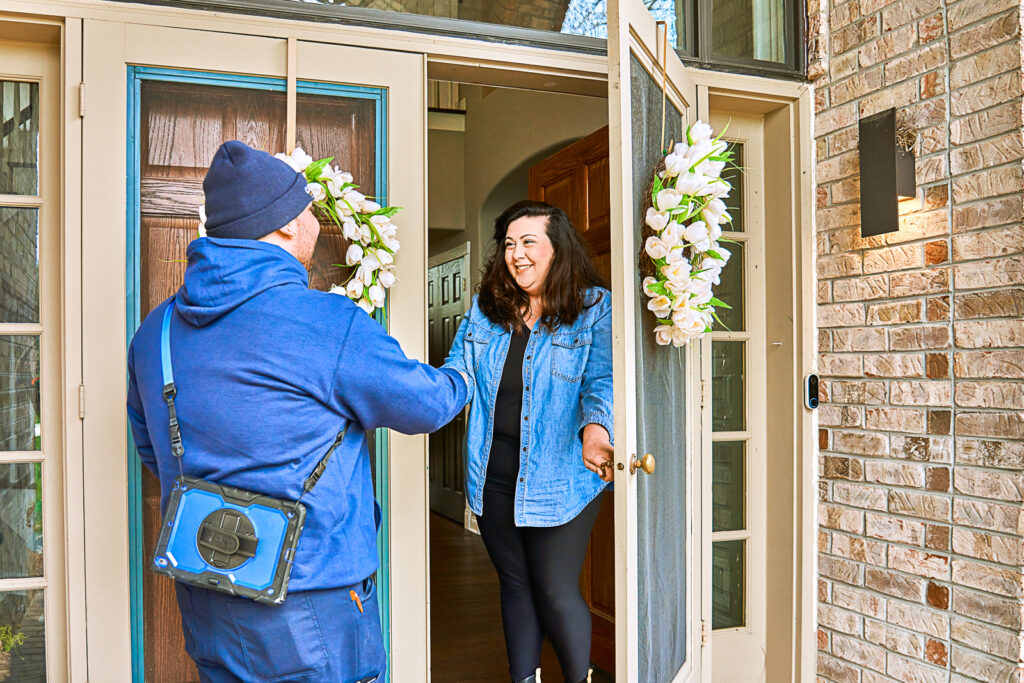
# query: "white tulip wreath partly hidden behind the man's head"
365, 224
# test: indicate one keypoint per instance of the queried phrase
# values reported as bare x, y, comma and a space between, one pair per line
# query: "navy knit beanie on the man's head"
249, 194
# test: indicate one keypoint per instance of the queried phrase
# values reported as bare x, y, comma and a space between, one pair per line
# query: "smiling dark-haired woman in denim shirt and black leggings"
537, 350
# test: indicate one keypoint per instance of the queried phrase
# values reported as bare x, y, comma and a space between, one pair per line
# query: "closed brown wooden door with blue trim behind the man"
182, 124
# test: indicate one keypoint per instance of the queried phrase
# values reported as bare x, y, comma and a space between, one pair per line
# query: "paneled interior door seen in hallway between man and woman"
448, 296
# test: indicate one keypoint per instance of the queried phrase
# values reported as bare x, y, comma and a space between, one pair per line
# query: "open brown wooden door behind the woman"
576, 180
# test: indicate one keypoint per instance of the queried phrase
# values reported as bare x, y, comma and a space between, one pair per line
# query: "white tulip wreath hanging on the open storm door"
687, 249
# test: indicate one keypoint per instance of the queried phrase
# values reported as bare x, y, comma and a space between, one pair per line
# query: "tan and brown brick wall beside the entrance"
921, 336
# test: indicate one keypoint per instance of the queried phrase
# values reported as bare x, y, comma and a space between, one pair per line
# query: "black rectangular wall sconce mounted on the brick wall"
887, 174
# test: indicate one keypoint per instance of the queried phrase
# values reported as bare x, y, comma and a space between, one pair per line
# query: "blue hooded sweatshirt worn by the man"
268, 372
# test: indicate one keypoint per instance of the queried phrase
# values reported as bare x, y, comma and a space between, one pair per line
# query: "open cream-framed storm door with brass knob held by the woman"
658, 539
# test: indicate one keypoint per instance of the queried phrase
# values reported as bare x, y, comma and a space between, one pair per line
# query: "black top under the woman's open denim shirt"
503, 466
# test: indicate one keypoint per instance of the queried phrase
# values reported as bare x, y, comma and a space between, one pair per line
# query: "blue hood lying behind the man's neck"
224, 274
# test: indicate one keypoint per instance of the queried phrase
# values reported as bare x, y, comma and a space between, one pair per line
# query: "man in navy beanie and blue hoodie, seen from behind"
268, 373
